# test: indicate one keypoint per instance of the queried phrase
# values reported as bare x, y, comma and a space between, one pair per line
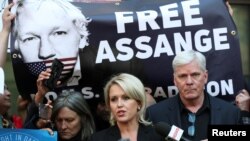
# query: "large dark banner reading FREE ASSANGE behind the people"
140, 37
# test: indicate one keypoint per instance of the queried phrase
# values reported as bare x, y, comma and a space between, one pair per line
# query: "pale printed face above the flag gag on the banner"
39, 40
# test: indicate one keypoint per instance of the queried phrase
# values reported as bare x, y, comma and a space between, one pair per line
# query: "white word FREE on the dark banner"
170, 17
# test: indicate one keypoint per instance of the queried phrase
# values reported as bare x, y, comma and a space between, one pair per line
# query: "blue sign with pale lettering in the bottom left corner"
26, 135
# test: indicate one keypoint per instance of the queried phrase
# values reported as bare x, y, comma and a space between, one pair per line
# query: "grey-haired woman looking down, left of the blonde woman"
72, 117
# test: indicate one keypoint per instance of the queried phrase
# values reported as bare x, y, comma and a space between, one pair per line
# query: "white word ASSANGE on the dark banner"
202, 42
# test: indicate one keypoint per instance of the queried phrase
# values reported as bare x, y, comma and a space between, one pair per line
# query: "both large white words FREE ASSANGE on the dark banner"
174, 15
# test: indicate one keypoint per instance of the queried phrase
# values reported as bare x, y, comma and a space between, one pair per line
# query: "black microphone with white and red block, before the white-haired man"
171, 133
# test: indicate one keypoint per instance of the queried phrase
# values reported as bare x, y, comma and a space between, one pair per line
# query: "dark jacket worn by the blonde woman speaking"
145, 133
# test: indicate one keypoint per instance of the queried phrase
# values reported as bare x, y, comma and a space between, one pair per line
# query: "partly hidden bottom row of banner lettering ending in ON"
213, 88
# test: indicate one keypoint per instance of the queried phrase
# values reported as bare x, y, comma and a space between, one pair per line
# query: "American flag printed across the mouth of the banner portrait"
37, 67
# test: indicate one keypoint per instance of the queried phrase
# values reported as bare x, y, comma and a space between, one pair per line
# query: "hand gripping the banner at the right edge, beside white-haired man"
242, 100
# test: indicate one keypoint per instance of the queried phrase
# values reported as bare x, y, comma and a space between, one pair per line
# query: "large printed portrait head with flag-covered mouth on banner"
49, 29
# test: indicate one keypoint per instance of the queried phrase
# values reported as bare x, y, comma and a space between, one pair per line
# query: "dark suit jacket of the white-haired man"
168, 111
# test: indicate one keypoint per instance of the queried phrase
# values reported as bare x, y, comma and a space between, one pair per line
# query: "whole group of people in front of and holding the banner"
130, 112
